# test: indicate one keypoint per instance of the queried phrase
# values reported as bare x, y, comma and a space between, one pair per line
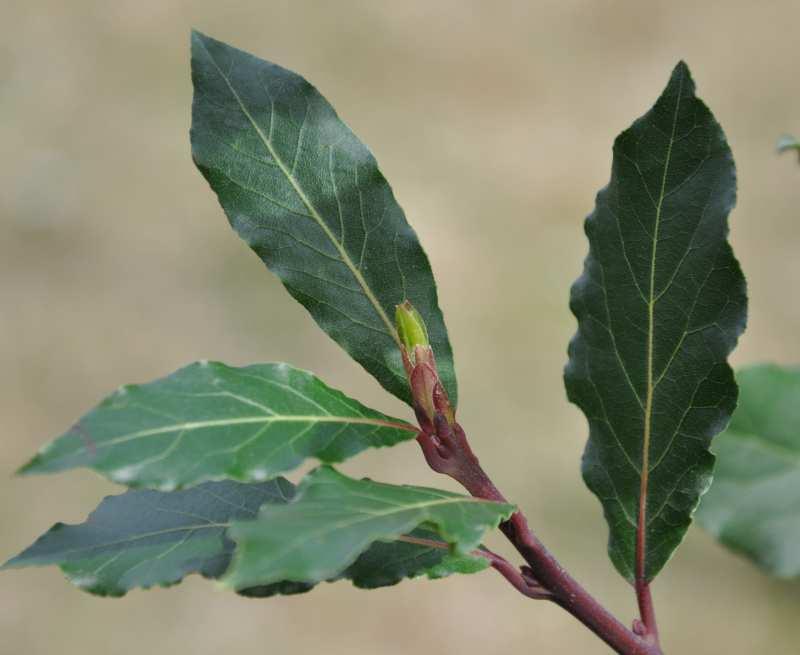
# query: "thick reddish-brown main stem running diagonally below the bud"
447, 451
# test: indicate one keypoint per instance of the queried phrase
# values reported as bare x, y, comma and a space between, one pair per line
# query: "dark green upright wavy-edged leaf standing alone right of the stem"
660, 305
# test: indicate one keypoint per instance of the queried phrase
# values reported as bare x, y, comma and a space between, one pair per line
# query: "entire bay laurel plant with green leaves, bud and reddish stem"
660, 305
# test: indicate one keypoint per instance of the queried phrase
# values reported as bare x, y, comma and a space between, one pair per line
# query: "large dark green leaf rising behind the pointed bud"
308, 198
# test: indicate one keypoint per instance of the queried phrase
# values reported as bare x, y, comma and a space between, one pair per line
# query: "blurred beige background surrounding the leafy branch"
494, 122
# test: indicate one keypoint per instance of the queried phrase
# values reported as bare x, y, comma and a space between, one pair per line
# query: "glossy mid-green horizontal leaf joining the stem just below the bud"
210, 421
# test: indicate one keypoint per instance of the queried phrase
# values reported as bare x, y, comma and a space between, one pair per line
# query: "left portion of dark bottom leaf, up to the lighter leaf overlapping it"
145, 538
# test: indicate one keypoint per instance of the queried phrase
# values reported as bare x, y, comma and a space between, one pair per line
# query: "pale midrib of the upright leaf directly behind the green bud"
390, 328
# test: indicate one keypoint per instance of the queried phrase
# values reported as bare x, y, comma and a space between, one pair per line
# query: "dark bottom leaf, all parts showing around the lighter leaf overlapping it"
146, 538
